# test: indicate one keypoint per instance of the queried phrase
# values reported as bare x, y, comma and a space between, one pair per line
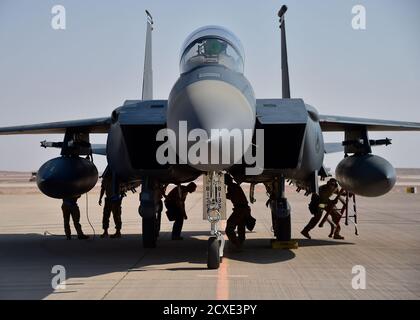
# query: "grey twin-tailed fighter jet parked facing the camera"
212, 124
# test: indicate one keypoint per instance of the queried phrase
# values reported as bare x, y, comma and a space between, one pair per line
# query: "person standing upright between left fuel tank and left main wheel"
113, 202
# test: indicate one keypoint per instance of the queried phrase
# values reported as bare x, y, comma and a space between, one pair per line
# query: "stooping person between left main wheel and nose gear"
175, 207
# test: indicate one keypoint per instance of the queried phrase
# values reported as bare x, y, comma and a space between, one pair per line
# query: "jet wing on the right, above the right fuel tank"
339, 123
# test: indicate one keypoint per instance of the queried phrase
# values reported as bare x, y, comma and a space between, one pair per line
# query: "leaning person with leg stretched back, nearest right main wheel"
318, 204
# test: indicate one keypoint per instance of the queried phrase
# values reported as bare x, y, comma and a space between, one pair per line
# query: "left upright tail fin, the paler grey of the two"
147, 91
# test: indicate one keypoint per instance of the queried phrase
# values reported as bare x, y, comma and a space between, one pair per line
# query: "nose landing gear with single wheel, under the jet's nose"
216, 242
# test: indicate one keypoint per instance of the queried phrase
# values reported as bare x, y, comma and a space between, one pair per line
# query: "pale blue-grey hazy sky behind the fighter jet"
95, 64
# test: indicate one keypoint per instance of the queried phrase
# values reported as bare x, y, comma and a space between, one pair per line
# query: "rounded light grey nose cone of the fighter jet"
216, 118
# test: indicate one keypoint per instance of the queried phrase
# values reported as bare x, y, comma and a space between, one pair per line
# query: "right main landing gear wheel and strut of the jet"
280, 210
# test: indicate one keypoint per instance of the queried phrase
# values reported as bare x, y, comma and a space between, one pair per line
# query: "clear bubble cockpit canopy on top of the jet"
212, 45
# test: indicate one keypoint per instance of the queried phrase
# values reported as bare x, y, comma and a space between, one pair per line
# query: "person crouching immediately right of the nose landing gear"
241, 216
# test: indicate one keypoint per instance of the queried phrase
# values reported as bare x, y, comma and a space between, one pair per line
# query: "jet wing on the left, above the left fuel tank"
96, 125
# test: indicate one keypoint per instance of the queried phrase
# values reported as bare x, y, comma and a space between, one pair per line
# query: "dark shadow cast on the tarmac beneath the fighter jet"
26, 260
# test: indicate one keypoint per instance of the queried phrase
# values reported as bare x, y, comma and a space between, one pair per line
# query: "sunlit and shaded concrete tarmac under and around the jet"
32, 242
